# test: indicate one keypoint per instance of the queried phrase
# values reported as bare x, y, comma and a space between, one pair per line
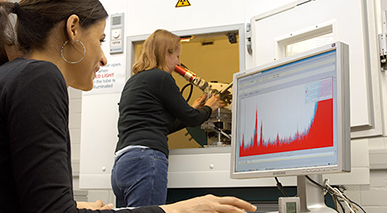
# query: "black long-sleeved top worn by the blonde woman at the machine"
151, 107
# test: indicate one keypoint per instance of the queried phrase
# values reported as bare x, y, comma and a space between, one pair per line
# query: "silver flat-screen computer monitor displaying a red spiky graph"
291, 117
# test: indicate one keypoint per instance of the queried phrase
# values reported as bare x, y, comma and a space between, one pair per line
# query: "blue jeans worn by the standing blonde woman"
139, 178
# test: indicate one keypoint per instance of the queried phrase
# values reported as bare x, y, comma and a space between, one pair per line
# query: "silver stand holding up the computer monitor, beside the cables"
312, 196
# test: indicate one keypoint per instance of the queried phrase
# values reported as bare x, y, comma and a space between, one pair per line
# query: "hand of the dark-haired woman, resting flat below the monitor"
210, 204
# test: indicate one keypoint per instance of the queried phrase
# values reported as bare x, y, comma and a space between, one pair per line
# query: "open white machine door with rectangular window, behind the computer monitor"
303, 25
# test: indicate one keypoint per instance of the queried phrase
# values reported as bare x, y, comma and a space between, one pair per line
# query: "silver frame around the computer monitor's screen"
343, 115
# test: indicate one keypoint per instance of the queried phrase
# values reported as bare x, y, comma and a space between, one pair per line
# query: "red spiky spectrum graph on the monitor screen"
319, 135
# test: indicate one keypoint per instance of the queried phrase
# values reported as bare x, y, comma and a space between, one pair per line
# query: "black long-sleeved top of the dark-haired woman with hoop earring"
35, 156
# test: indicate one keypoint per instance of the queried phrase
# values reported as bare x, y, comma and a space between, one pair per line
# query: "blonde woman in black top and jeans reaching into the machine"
151, 107
